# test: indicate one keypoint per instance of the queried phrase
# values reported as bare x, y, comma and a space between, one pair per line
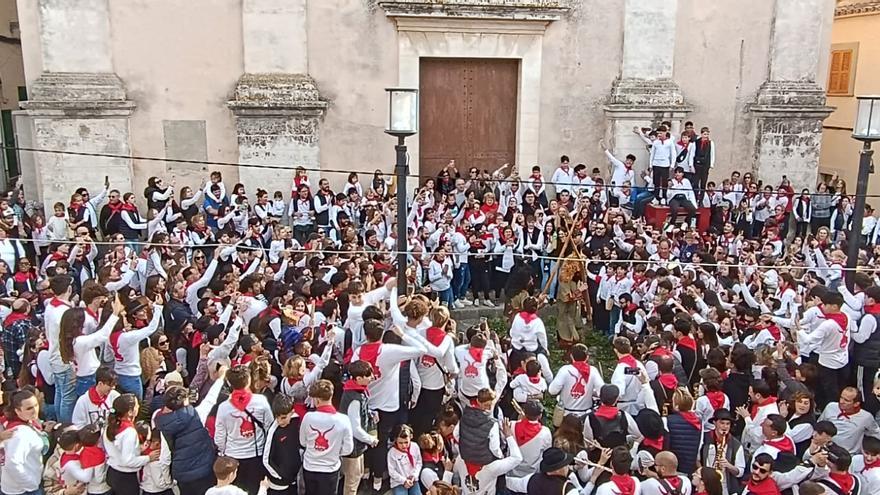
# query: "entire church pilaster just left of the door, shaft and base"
277, 106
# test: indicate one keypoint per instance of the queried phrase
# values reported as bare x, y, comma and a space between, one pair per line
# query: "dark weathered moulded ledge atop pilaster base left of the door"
276, 94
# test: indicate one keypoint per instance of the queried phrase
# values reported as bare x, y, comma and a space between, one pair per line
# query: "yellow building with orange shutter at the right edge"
854, 70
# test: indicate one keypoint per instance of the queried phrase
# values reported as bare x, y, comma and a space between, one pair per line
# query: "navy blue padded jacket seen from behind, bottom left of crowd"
192, 450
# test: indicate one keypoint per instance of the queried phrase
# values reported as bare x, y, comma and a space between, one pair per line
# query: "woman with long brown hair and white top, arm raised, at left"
79, 349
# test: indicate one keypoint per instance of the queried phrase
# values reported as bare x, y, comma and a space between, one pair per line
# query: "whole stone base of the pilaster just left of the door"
277, 119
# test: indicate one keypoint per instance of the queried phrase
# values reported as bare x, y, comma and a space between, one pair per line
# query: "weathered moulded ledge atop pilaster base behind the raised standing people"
646, 95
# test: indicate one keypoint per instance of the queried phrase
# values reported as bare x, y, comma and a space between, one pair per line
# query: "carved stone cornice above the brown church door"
546, 10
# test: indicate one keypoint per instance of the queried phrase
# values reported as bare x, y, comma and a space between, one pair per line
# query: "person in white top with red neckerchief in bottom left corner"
23, 466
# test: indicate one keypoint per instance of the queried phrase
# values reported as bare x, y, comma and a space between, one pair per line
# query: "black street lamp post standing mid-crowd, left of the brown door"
403, 121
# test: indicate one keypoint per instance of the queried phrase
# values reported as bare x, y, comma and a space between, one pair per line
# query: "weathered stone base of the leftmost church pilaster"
77, 112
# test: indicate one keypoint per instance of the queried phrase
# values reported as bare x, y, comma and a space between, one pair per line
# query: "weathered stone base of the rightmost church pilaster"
788, 132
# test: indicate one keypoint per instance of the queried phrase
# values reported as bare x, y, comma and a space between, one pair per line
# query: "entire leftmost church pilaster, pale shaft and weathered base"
77, 104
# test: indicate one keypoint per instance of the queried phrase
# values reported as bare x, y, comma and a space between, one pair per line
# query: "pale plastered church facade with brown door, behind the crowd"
301, 83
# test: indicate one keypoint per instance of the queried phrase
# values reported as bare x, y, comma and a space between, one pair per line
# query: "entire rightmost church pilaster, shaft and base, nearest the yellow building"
790, 106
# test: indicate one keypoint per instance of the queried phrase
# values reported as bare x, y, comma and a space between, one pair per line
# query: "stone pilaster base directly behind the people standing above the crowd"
641, 103
